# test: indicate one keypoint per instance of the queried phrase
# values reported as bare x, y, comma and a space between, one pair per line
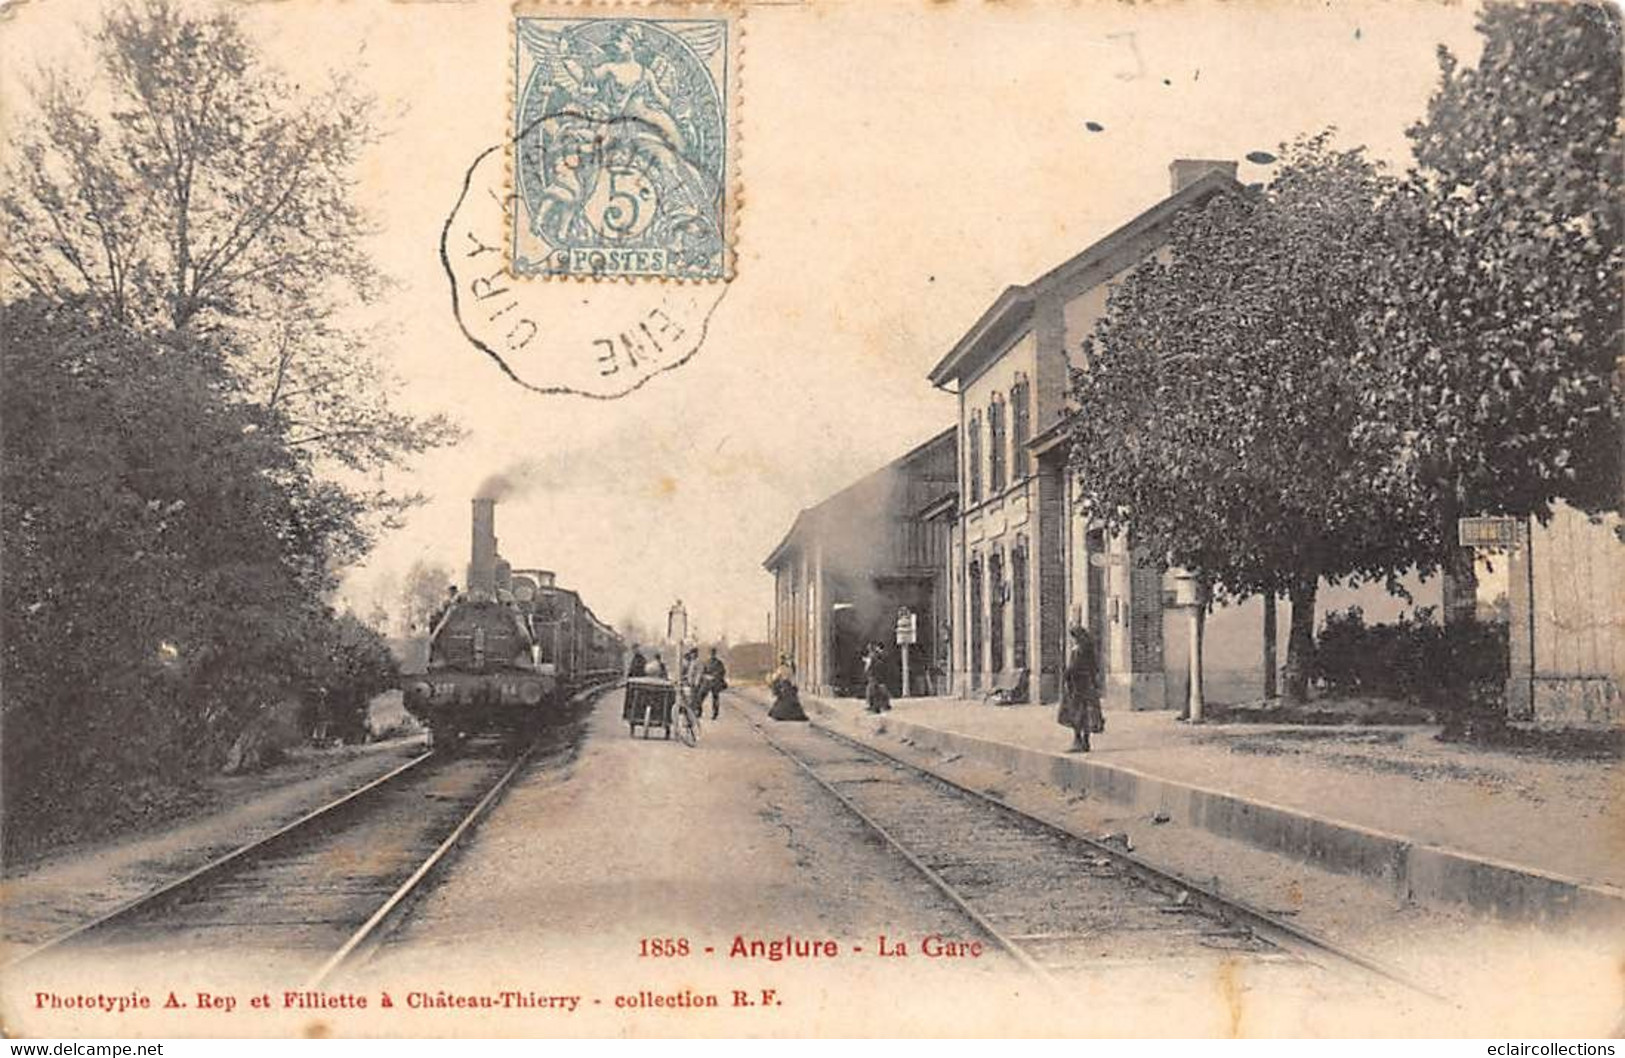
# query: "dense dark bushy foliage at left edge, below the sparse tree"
165, 565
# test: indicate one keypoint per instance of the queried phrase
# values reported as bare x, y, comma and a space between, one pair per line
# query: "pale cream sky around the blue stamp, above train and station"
901, 163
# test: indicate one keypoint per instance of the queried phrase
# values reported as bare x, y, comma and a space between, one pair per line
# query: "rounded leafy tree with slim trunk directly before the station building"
1218, 417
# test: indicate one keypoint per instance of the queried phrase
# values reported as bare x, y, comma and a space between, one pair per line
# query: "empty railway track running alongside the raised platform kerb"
1062, 906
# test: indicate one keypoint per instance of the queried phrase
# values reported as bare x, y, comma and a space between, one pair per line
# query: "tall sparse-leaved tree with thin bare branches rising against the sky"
194, 196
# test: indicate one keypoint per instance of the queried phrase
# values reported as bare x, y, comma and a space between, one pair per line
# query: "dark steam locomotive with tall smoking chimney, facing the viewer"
511, 651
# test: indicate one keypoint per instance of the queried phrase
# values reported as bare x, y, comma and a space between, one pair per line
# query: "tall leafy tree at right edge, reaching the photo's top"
1493, 366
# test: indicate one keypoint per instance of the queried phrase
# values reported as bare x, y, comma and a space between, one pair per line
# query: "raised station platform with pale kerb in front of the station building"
1515, 835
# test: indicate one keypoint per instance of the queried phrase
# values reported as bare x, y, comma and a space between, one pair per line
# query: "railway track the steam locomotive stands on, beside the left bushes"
319, 895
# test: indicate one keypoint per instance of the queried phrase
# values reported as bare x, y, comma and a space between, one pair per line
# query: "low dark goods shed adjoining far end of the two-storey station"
847, 566
